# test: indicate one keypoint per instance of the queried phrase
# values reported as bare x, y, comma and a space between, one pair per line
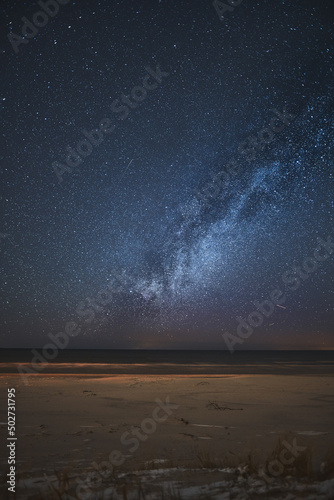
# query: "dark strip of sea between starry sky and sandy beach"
168, 362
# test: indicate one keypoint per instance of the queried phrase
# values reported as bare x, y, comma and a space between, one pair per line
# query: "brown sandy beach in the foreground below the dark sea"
175, 423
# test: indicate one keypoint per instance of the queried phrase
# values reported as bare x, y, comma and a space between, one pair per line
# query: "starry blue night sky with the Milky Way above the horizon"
210, 177
